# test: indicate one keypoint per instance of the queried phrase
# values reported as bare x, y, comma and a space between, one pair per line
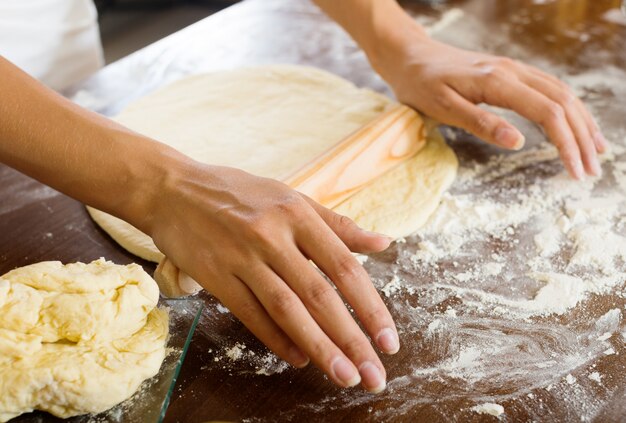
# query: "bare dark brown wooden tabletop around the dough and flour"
38, 223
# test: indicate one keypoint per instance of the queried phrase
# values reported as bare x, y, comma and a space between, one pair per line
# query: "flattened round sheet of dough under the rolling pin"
270, 121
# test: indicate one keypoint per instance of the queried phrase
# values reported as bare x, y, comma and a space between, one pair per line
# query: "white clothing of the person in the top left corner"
56, 41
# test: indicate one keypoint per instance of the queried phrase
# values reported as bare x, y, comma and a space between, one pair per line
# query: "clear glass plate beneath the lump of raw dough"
150, 402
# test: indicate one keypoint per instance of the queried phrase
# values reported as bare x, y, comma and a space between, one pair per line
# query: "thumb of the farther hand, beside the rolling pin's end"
485, 125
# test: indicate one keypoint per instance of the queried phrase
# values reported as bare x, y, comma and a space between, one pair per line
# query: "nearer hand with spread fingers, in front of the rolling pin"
248, 240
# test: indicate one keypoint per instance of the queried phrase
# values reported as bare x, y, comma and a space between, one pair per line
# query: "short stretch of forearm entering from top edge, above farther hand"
380, 27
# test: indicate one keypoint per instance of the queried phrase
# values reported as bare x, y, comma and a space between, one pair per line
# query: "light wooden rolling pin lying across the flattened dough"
393, 137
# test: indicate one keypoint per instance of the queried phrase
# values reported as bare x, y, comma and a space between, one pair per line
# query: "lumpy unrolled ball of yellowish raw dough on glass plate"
77, 339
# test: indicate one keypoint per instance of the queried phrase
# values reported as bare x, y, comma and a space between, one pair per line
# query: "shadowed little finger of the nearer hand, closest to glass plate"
238, 298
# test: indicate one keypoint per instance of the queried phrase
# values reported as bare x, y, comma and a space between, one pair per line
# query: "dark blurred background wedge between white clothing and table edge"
128, 25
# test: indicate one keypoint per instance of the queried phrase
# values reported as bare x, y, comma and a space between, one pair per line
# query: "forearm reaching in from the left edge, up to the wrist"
77, 152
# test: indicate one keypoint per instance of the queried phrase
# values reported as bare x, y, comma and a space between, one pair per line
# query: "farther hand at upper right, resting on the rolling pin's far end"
448, 83
